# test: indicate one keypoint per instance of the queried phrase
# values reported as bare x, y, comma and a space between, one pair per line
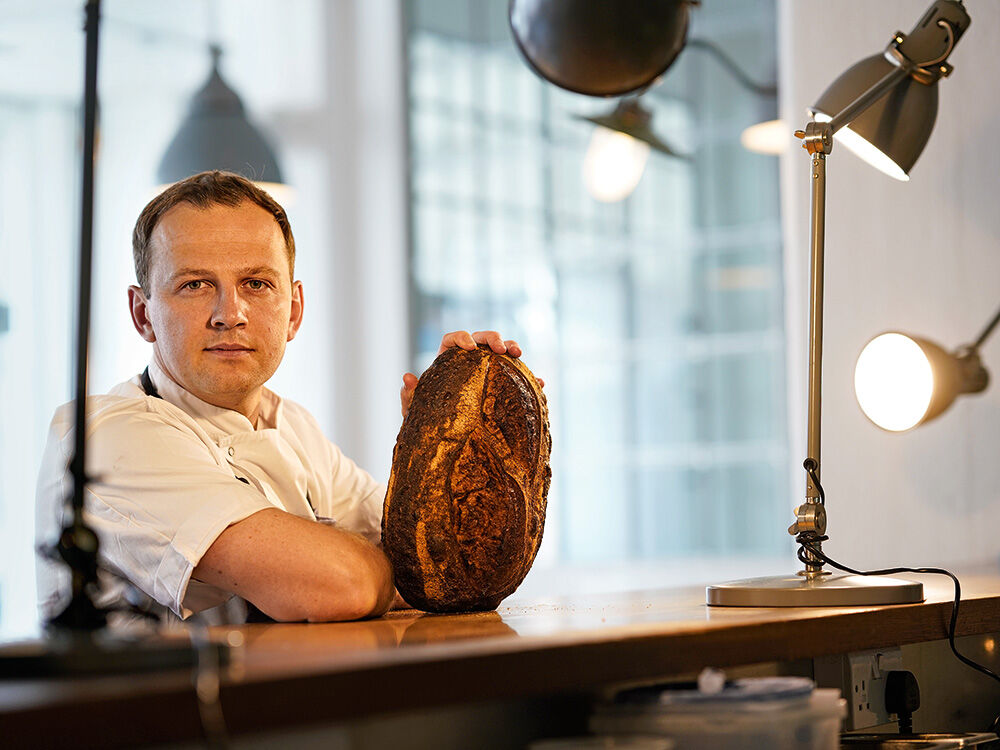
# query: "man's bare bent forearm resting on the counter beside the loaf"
292, 569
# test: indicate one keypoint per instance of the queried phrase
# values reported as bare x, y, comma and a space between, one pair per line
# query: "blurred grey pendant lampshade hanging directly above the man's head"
216, 134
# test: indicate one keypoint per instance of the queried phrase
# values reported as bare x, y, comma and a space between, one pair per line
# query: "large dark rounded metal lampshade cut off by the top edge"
600, 47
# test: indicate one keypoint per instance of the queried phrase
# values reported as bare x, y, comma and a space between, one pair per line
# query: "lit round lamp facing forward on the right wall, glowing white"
903, 381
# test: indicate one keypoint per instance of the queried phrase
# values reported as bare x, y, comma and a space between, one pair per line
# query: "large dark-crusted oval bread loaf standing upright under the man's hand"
465, 509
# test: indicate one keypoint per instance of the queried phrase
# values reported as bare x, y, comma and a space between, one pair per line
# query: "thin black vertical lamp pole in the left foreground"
78, 543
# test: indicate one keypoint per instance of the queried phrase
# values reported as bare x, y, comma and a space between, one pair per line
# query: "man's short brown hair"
203, 190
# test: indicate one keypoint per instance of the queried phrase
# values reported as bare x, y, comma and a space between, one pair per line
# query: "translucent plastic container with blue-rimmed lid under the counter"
768, 713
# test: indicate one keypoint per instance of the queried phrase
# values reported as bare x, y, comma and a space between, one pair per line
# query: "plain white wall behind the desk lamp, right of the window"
921, 257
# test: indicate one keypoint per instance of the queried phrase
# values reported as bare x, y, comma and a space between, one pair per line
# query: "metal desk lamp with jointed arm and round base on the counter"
899, 92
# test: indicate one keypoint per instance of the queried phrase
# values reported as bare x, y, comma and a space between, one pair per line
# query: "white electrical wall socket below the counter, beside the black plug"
861, 679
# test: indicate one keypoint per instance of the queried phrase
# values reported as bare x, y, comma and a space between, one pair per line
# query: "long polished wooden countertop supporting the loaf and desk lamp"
288, 674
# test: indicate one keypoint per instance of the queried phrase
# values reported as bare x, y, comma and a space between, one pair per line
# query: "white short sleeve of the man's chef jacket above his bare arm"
158, 499
